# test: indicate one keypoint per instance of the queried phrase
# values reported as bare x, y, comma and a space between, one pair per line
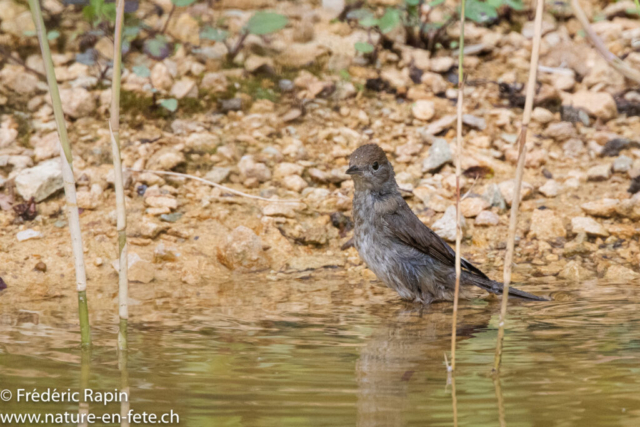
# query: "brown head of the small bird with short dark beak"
370, 169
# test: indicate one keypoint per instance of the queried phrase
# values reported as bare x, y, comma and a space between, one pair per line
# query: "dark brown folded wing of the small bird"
404, 225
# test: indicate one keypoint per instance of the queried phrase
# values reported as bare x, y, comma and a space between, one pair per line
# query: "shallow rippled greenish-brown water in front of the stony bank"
324, 352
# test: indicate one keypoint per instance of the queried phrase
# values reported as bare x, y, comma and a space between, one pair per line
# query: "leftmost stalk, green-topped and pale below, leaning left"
67, 176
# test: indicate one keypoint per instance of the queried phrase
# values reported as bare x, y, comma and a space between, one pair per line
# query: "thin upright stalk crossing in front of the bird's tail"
454, 323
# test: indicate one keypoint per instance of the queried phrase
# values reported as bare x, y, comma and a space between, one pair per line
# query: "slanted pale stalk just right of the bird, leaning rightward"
522, 153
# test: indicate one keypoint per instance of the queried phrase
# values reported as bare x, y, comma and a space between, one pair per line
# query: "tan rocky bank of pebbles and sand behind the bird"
279, 122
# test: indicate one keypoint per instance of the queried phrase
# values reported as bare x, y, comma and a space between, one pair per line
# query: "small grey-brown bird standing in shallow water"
403, 252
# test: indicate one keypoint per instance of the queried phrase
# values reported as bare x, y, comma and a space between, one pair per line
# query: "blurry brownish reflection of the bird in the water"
412, 341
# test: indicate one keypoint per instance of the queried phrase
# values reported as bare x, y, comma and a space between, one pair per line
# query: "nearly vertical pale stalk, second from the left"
114, 125
